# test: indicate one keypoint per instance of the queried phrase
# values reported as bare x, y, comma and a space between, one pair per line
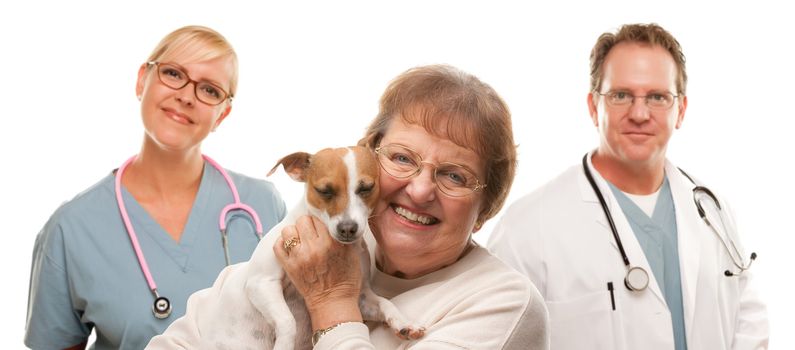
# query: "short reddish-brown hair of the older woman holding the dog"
453, 104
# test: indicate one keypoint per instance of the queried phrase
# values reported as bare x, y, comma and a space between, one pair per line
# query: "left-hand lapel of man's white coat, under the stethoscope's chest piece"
631, 245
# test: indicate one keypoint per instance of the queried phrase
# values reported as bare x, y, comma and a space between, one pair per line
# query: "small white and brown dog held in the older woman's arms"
253, 303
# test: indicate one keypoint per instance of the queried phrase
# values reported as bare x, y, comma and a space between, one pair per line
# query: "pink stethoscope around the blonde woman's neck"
162, 306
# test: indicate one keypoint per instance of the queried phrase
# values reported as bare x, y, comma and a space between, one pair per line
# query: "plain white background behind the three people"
312, 73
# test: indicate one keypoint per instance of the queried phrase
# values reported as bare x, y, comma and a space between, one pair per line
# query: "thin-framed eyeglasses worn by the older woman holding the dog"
402, 162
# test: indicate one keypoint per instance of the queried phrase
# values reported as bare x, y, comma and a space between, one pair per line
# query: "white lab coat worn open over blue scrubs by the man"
560, 238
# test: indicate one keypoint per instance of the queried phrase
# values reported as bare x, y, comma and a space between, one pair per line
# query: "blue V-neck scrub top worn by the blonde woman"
85, 273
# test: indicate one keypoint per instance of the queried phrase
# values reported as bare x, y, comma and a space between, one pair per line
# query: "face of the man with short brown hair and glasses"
634, 134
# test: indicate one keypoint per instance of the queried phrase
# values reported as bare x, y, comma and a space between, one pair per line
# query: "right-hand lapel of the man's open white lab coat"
688, 229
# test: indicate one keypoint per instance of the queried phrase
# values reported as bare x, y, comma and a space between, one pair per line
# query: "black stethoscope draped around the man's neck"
637, 279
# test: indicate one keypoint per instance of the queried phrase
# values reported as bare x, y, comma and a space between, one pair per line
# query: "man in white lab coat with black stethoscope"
692, 290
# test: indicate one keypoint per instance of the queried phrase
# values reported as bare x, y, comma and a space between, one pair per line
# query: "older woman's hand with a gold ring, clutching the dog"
325, 272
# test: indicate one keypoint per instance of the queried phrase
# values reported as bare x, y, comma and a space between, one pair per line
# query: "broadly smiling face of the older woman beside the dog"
419, 229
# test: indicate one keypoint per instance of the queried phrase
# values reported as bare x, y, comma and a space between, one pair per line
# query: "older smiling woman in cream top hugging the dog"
445, 146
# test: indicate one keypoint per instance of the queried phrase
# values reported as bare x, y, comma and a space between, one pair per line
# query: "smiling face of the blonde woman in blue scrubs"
175, 120
